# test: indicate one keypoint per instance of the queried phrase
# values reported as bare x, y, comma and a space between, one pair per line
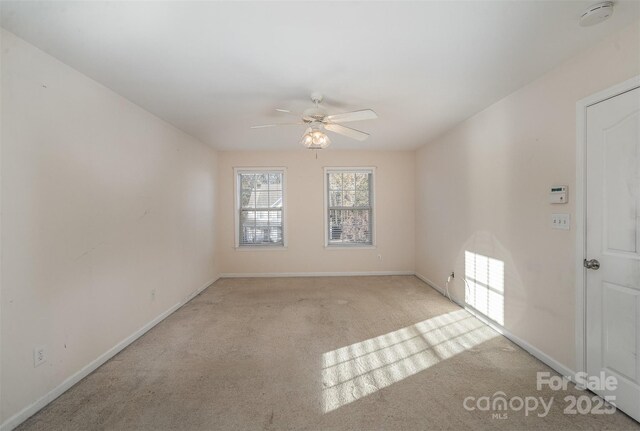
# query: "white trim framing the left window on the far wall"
236, 208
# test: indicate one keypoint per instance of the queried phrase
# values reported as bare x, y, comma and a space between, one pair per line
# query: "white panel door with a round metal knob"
613, 240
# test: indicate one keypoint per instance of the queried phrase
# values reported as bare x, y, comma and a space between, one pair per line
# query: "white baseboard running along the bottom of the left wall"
36, 406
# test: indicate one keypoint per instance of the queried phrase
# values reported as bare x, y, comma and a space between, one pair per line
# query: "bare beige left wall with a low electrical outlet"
102, 202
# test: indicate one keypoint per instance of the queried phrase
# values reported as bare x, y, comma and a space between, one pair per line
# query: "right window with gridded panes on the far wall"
349, 206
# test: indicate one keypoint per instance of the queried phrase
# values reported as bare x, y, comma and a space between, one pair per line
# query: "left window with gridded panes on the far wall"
260, 207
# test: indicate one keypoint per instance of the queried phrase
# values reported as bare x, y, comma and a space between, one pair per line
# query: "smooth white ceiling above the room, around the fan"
214, 69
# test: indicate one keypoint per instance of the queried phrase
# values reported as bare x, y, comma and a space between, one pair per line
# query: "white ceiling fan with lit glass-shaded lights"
317, 120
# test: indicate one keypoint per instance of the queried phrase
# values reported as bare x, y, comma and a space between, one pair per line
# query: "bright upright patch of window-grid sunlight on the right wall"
484, 289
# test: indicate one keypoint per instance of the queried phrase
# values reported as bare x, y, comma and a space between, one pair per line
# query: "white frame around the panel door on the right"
581, 210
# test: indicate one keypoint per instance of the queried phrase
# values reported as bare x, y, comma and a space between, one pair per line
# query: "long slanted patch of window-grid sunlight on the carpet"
358, 370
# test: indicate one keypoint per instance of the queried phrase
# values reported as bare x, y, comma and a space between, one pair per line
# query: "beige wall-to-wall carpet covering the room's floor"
353, 353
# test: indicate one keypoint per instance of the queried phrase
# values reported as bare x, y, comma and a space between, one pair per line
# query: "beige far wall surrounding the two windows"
306, 253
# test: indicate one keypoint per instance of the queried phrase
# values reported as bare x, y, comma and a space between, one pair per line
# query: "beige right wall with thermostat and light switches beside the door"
483, 187
